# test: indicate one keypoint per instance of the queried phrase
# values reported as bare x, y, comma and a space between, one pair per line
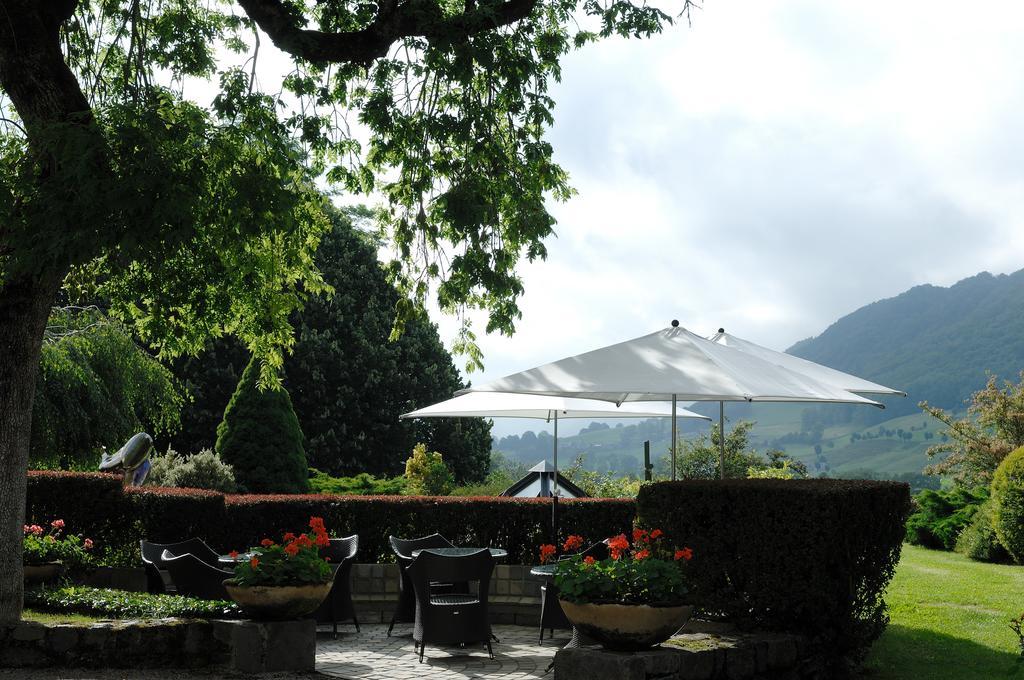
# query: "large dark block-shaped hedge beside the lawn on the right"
806, 556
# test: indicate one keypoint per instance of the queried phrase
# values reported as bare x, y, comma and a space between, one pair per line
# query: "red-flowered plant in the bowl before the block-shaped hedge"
647, 571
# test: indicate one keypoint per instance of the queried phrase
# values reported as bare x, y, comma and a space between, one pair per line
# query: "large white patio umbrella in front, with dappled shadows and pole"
671, 365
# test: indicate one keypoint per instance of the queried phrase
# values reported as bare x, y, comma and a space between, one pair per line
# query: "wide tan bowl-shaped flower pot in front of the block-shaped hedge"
627, 627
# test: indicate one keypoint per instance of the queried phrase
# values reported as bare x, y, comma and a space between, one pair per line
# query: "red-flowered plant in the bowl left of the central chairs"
294, 562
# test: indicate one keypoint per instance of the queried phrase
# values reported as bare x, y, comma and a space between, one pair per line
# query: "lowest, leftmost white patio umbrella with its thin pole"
498, 405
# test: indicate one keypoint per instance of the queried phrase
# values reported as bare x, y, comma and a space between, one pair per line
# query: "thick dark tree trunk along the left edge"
46, 94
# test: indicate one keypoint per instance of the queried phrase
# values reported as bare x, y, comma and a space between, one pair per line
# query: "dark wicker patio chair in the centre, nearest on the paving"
452, 618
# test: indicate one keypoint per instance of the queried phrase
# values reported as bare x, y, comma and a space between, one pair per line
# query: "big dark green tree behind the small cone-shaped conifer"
348, 381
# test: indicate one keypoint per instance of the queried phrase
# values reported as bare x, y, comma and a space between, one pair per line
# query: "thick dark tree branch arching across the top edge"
394, 22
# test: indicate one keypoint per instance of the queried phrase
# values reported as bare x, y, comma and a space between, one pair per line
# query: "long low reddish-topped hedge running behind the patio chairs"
97, 506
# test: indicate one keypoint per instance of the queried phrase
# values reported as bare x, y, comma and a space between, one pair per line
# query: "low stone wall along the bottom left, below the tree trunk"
246, 647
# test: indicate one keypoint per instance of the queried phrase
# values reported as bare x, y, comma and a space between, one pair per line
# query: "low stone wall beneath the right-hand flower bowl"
692, 656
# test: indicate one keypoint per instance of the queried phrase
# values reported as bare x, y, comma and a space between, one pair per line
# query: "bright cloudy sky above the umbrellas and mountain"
774, 167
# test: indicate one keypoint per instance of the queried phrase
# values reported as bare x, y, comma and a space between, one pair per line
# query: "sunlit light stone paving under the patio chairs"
372, 656
